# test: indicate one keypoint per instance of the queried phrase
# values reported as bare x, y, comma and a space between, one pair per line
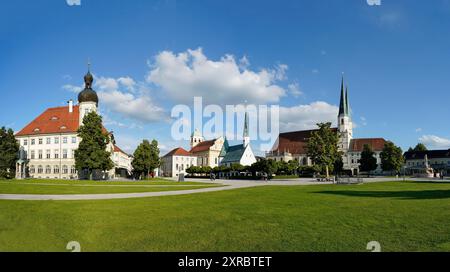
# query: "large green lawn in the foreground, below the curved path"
401, 216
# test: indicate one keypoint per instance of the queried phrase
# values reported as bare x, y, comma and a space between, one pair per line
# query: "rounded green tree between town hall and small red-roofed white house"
146, 158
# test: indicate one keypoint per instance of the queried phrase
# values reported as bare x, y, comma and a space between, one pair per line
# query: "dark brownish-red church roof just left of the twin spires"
294, 142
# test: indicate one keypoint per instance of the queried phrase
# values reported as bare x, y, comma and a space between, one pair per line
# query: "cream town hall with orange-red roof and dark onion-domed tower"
48, 143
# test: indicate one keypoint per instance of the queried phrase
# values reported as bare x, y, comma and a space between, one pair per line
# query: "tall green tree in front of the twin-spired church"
322, 148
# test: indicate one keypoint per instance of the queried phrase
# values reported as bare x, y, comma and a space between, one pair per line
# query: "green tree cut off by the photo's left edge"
9, 153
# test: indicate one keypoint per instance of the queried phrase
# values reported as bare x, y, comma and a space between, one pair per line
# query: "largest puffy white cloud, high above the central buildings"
185, 75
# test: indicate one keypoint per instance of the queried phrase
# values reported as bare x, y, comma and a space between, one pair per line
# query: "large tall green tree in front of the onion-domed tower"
91, 154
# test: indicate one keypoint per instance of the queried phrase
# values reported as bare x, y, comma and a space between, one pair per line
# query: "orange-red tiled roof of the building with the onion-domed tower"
53, 120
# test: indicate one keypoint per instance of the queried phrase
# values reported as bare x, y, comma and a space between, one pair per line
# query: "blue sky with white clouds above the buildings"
396, 59
